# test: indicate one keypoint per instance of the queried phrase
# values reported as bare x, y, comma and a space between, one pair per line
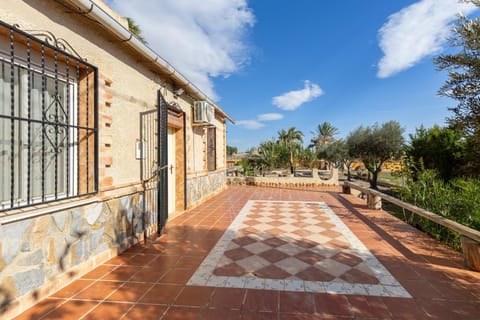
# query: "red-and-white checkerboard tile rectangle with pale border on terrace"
294, 246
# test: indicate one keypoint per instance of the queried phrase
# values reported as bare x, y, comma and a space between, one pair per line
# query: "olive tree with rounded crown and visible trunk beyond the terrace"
376, 144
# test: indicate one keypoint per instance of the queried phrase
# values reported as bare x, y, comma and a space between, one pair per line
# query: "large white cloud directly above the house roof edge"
201, 40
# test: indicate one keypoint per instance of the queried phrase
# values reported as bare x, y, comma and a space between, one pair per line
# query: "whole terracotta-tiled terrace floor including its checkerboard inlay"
261, 253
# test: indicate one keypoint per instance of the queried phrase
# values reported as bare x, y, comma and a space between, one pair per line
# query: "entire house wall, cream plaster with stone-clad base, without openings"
43, 248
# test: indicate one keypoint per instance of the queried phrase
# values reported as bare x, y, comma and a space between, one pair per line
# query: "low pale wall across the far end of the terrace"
286, 182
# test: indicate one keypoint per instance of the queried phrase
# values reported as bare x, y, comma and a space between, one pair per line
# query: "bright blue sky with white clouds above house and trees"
274, 64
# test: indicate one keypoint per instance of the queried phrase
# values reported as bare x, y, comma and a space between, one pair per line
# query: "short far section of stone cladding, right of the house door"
201, 188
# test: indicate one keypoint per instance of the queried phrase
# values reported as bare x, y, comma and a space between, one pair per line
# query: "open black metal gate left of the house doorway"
154, 163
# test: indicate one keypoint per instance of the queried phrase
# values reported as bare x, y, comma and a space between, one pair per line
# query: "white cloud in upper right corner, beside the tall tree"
415, 32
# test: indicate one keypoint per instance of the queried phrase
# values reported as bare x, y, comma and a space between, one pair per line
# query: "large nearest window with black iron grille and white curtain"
47, 123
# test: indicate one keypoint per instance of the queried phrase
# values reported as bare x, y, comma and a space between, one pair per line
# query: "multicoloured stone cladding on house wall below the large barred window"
40, 255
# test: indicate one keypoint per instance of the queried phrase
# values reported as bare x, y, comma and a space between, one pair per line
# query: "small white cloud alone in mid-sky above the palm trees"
293, 99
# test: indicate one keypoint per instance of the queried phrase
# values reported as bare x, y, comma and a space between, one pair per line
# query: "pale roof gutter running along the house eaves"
90, 9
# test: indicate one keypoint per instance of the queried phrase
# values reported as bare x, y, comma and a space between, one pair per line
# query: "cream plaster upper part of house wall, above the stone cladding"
134, 85
